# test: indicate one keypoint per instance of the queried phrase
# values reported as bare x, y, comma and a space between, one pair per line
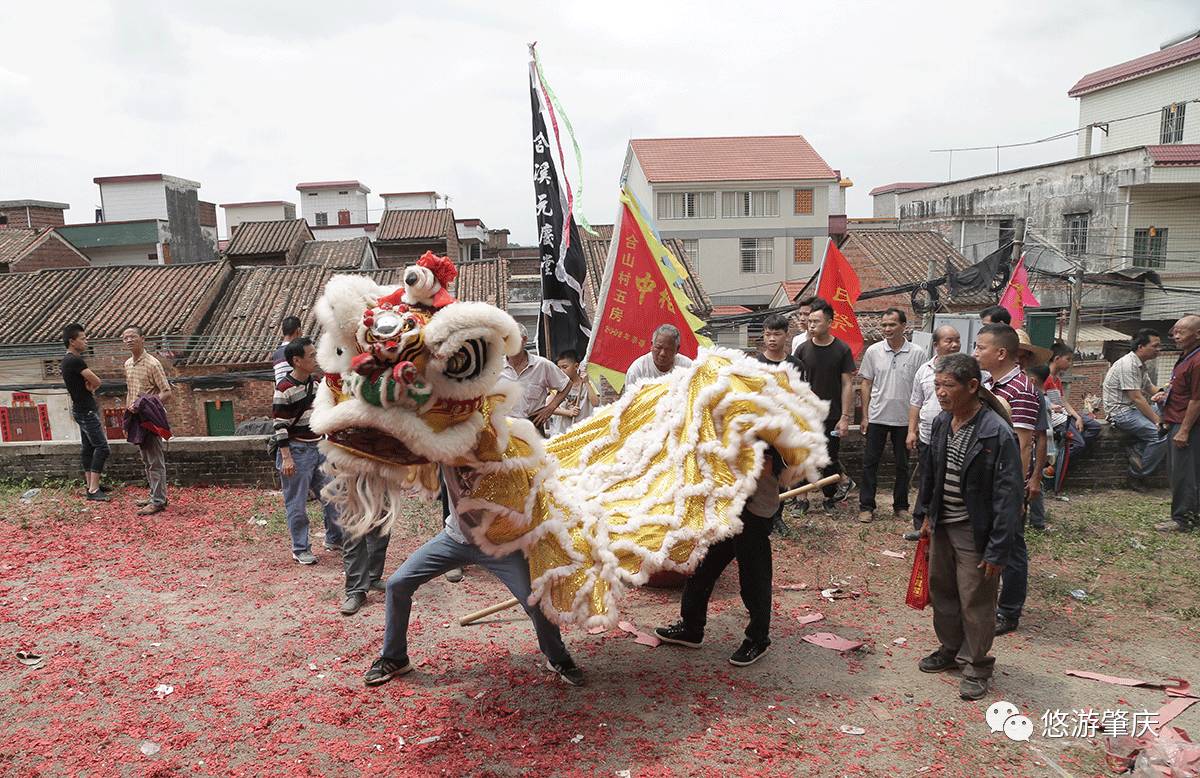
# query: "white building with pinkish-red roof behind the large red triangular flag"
752, 212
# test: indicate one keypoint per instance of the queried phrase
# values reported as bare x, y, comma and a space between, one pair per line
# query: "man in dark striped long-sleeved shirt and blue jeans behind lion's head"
298, 458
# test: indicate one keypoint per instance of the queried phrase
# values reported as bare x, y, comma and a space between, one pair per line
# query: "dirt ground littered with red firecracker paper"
266, 674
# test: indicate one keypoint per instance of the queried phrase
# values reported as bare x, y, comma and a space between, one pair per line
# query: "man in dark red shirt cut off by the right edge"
1180, 415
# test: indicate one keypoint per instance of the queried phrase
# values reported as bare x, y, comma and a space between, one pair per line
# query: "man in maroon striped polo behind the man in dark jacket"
998, 349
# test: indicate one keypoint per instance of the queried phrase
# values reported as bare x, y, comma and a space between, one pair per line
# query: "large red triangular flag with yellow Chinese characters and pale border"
637, 298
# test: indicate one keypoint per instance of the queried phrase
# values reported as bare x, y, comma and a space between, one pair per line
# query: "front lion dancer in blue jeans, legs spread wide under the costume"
452, 549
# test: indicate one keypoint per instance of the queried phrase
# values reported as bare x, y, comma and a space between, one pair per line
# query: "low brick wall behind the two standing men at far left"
225, 462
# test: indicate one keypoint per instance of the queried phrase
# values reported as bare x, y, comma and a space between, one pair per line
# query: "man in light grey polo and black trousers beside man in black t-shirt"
887, 370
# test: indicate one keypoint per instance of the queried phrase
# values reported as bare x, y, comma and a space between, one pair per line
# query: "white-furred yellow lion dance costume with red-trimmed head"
646, 484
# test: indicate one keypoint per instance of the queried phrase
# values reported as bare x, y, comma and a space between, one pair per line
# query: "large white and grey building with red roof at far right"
1131, 201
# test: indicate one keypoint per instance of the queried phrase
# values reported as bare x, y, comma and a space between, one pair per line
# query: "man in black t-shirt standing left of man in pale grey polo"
830, 367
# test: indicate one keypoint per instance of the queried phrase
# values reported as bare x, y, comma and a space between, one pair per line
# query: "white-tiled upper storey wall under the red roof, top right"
1142, 95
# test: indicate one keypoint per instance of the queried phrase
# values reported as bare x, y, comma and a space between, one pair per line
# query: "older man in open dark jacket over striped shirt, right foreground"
971, 492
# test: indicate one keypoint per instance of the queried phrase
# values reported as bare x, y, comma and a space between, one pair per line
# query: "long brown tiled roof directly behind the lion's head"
244, 326
